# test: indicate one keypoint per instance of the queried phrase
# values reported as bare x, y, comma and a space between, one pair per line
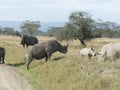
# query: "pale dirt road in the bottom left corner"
10, 79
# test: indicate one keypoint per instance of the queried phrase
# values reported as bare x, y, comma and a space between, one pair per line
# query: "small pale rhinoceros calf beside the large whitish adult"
87, 52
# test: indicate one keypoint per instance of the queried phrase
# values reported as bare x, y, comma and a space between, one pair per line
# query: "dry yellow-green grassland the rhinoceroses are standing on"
65, 71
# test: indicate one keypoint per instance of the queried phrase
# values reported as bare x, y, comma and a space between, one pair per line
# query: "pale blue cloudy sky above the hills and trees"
58, 10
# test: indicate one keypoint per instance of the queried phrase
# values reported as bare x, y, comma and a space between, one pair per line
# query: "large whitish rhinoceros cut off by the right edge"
110, 51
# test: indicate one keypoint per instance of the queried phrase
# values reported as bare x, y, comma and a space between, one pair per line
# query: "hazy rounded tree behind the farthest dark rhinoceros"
30, 27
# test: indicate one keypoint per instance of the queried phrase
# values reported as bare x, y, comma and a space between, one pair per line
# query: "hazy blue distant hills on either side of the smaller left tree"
44, 25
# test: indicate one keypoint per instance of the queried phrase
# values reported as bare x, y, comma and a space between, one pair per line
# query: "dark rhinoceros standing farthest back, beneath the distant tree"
28, 40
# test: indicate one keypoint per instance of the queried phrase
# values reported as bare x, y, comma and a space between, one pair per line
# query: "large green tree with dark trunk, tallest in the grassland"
80, 26
